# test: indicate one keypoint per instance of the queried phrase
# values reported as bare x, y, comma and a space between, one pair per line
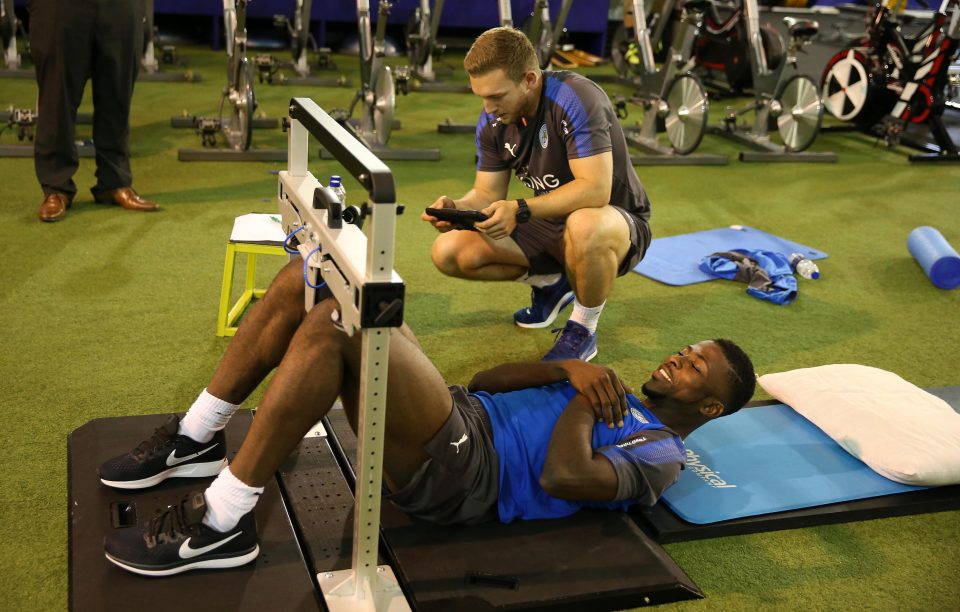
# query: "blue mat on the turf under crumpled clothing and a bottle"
675, 260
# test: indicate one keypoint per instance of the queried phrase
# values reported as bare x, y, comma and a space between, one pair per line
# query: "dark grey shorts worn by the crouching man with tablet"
541, 240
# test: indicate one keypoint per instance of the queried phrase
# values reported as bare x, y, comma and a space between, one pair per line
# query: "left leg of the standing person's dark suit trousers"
60, 36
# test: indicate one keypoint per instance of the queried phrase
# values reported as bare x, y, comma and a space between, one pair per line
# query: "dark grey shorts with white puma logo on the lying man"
460, 483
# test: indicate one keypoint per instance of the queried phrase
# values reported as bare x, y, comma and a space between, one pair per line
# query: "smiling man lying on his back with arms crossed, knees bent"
526, 441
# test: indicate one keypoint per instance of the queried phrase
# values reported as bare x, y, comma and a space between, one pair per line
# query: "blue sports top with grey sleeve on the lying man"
523, 423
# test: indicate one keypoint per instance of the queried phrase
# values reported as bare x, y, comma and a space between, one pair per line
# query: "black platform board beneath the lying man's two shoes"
277, 580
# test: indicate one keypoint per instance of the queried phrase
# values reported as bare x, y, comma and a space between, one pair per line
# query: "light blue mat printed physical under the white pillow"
767, 459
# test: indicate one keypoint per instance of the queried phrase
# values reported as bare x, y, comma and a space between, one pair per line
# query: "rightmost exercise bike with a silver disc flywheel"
781, 94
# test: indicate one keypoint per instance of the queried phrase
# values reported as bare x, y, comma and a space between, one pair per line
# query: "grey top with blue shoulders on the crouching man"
574, 119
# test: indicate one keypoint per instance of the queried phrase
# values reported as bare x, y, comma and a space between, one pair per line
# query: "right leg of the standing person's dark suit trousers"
117, 47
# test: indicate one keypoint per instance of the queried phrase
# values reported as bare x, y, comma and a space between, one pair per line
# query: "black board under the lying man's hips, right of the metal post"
594, 560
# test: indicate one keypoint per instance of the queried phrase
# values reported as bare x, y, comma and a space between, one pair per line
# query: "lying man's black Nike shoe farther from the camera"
165, 454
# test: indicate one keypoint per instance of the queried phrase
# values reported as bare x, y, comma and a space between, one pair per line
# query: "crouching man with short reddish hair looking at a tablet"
587, 220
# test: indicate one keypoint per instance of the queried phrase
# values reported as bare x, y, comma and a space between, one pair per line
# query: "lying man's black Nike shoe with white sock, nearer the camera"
175, 540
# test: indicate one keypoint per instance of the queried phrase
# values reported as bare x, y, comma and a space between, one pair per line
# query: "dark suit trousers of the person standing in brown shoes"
73, 41
